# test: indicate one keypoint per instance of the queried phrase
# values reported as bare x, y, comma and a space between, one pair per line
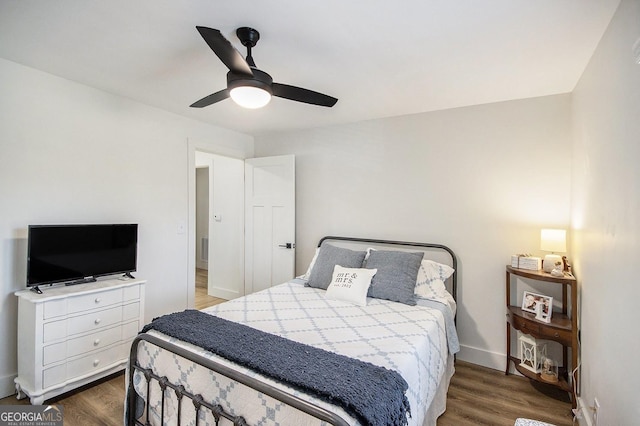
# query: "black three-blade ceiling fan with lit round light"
246, 84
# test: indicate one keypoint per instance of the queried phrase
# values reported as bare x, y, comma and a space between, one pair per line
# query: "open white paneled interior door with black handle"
269, 221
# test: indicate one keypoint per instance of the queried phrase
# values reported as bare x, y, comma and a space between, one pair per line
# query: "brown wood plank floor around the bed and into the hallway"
477, 396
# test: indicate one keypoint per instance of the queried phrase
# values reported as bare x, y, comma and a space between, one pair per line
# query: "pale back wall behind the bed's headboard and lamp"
482, 180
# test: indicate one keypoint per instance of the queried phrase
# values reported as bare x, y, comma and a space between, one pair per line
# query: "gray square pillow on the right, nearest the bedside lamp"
396, 277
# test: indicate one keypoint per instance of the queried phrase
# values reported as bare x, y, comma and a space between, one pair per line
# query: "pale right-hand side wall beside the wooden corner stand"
606, 220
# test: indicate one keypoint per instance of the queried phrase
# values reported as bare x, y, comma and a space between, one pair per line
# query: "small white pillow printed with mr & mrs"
350, 285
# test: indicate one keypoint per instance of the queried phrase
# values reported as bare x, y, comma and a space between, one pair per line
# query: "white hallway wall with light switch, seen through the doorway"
226, 235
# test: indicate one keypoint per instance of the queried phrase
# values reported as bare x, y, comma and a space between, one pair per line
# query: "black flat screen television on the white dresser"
74, 254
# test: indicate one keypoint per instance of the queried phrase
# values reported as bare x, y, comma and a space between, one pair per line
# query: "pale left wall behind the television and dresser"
72, 154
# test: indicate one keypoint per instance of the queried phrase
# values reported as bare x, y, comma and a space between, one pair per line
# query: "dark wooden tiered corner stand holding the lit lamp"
563, 327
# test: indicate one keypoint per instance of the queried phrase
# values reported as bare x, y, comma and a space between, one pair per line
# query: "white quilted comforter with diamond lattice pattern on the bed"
409, 339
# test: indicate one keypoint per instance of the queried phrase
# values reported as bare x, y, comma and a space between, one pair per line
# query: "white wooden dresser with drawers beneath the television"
72, 335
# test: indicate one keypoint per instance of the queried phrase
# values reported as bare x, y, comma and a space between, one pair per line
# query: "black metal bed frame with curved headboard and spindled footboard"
198, 402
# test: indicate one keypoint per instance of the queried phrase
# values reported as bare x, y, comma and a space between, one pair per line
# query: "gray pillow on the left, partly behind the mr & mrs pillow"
328, 257
